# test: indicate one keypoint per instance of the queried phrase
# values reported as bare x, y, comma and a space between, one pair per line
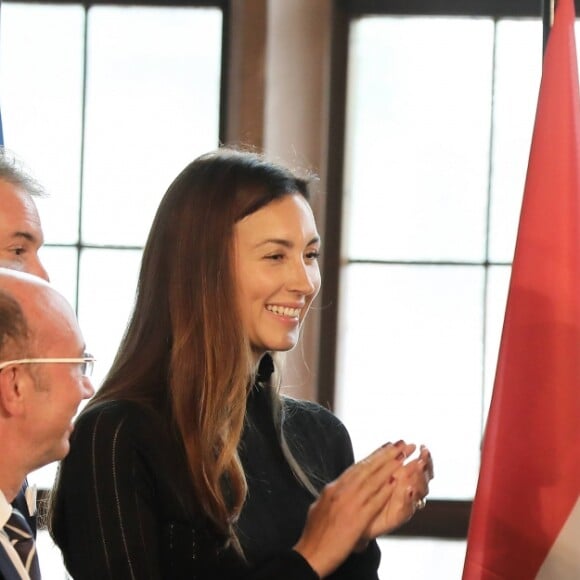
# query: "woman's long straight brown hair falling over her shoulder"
184, 350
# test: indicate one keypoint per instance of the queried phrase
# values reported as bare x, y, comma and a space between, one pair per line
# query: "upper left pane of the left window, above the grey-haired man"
41, 72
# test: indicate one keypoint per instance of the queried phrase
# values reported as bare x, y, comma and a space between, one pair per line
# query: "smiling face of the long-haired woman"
277, 273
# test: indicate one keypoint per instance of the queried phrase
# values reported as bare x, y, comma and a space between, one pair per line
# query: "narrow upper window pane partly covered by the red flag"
518, 70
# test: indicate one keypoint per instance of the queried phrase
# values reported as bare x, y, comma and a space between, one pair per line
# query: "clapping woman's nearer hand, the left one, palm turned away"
348, 506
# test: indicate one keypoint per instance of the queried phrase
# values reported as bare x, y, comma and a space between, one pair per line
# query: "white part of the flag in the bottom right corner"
563, 559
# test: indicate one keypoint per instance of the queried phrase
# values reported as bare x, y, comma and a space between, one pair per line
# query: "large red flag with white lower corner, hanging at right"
525, 522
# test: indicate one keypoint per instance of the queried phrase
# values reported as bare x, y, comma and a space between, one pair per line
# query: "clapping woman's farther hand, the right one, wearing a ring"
411, 485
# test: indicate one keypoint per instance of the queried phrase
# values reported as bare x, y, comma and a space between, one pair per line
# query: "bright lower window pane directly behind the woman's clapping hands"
410, 364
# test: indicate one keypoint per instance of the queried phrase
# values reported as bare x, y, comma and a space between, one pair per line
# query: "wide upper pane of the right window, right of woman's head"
418, 131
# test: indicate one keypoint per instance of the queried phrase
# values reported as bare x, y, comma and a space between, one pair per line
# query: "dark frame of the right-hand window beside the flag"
442, 519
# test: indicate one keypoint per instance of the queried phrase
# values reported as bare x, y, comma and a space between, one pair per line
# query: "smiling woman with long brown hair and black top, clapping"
213, 473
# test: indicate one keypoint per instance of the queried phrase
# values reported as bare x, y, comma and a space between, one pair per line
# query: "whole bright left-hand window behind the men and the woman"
106, 104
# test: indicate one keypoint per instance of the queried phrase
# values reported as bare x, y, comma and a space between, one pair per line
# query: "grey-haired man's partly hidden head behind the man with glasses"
20, 231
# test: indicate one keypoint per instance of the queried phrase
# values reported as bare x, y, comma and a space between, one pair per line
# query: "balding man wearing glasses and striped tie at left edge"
43, 378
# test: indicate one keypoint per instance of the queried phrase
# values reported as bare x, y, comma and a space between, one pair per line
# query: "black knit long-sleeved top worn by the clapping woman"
125, 508
